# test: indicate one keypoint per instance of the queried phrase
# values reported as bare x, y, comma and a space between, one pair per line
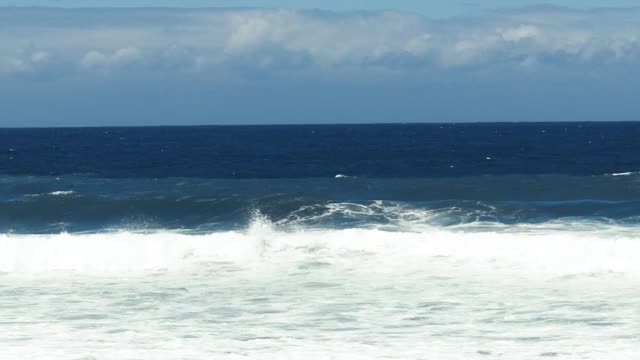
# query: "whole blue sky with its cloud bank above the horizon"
192, 62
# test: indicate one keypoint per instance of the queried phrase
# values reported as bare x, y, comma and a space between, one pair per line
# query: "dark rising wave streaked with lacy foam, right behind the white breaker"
76, 213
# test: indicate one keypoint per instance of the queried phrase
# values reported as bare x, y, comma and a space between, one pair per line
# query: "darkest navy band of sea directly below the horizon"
387, 151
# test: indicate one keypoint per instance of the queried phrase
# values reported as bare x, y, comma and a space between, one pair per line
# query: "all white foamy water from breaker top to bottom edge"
475, 292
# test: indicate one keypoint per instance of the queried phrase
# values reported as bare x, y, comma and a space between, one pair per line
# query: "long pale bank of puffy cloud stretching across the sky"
263, 40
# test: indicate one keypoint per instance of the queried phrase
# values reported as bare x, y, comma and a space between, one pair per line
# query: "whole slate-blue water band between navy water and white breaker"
72, 204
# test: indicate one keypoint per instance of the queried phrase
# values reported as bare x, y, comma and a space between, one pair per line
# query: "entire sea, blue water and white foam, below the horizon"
407, 241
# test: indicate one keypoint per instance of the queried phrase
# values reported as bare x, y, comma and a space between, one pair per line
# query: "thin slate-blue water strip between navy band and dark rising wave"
487, 188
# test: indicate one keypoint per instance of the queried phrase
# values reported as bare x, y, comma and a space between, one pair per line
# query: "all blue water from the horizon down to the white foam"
208, 178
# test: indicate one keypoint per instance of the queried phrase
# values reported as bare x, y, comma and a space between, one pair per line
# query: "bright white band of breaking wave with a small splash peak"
552, 249
